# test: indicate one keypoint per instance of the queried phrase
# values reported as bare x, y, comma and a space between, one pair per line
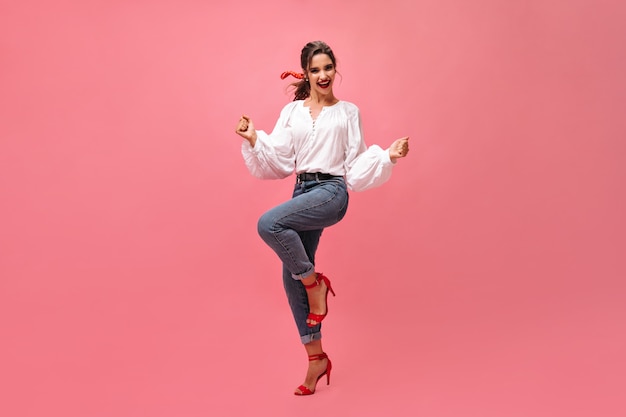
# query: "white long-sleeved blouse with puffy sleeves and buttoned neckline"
331, 144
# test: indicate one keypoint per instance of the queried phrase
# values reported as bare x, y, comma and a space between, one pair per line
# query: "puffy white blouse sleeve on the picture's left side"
272, 156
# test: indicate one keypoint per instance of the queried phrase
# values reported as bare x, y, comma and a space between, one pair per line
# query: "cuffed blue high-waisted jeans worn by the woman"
293, 230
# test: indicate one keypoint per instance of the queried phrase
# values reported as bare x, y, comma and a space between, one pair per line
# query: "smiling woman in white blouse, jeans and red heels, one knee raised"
317, 137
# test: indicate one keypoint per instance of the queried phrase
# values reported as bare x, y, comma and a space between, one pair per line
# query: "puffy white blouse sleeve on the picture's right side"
365, 167
